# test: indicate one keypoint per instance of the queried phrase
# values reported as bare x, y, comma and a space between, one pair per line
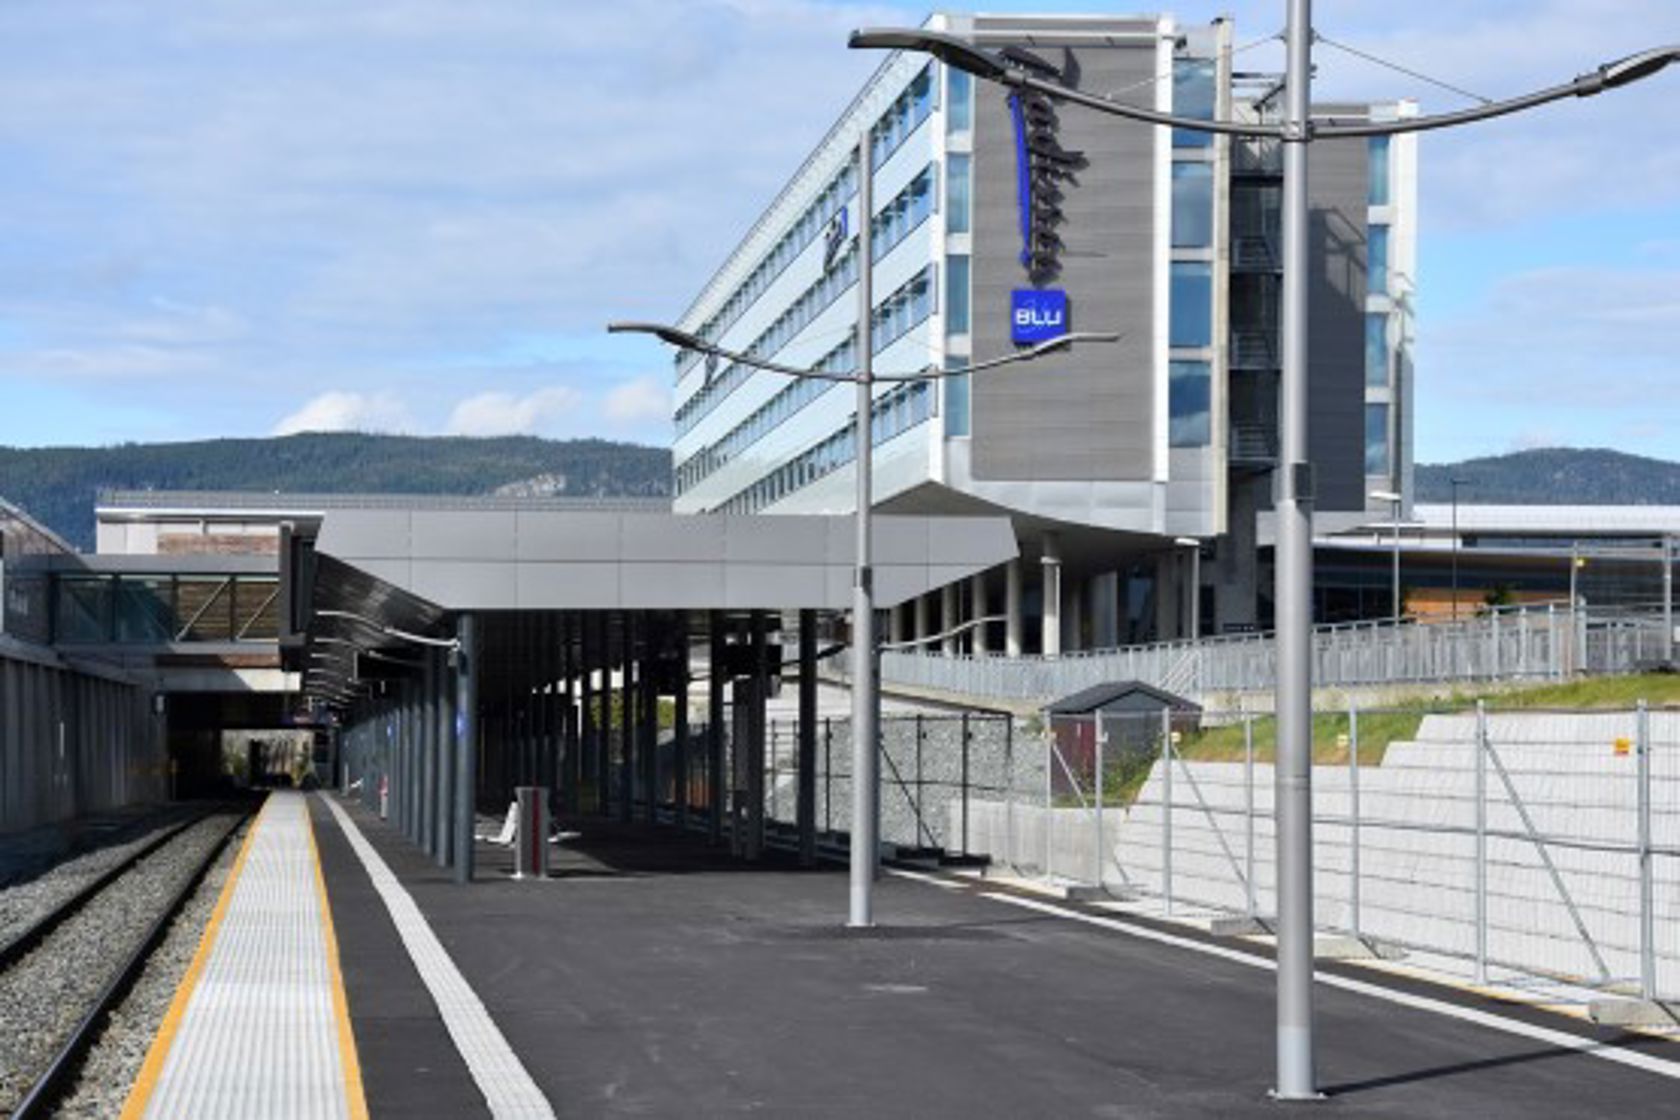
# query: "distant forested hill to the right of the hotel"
1555, 476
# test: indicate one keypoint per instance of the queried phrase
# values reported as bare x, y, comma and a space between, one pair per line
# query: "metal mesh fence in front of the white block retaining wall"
1531, 840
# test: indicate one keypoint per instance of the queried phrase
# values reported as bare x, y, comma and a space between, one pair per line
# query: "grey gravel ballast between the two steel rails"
46, 995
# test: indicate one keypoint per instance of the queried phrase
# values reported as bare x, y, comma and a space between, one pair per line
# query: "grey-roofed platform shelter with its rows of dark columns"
463, 654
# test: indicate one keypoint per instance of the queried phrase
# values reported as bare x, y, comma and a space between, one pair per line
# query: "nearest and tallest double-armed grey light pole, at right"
1294, 486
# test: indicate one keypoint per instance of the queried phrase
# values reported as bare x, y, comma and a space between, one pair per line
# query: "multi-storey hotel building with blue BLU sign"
997, 216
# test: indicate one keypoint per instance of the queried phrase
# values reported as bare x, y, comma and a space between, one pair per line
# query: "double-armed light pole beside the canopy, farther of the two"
864, 681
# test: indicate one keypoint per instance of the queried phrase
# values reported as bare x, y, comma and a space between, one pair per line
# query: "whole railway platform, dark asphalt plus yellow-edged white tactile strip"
656, 976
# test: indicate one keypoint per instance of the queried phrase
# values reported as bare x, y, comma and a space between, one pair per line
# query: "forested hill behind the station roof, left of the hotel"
58, 484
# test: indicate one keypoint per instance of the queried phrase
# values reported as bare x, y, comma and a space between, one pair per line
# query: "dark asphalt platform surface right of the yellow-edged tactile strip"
654, 976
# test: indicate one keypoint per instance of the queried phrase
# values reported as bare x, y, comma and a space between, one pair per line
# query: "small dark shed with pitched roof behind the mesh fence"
1133, 718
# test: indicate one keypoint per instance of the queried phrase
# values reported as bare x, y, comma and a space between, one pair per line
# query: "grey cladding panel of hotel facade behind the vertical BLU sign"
1086, 416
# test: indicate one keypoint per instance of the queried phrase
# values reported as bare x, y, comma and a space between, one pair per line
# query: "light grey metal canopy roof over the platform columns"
352, 575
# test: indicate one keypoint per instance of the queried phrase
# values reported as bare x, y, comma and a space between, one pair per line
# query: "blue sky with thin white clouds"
416, 216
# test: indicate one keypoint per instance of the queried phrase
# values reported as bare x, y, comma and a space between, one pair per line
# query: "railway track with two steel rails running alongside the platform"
50, 1074
